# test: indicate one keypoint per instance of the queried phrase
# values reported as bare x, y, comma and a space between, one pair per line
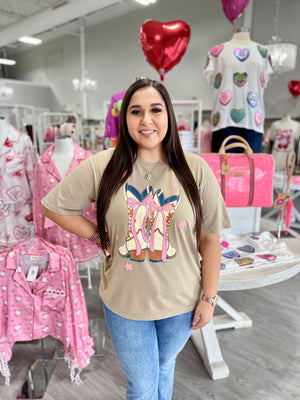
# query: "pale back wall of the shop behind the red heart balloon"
114, 56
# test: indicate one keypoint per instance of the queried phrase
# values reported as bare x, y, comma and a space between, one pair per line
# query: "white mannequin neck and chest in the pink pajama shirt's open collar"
63, 153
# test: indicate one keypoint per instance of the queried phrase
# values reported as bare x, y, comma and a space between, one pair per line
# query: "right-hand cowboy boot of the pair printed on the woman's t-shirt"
161, 214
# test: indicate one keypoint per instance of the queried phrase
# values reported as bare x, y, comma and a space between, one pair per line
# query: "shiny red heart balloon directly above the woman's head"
164, 43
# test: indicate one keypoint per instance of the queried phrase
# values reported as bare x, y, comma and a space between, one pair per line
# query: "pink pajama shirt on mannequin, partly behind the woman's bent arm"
46, 177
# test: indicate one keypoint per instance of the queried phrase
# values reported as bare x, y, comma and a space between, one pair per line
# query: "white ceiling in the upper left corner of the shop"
50, 19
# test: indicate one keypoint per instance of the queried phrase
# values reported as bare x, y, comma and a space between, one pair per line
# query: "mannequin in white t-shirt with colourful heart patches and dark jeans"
239, 71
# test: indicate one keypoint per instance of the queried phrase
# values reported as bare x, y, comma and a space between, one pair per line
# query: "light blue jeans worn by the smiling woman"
147, 351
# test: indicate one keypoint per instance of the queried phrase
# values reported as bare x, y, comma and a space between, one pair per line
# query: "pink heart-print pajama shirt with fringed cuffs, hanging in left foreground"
53, 304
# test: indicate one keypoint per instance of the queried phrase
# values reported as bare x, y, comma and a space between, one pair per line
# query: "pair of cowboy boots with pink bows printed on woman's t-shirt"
143, 207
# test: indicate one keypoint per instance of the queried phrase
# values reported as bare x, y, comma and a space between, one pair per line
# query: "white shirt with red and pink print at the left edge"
17, 160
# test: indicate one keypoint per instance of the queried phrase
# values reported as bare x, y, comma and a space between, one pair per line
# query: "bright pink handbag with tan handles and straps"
245, 179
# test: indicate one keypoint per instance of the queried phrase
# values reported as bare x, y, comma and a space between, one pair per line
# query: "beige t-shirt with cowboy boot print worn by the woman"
154, 271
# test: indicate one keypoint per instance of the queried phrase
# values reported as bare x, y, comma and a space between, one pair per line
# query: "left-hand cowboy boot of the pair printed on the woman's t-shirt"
137, 241
